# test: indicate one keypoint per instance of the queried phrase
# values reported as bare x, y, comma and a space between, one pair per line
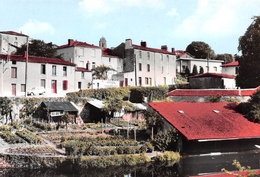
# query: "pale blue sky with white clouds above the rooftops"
175, 23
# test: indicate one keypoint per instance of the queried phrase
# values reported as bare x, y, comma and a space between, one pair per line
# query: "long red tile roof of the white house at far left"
35, 59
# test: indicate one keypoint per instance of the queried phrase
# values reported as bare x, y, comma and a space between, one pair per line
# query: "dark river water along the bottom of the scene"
188, 166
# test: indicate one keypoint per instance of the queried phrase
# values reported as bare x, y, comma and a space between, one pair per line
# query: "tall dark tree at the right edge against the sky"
249, 62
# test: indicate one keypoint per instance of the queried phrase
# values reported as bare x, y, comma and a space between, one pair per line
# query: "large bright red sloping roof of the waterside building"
199, 121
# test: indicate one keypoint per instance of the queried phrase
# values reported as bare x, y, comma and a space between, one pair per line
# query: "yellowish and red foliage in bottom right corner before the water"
248, 172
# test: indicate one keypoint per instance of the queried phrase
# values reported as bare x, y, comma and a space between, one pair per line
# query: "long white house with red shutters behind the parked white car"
55, 75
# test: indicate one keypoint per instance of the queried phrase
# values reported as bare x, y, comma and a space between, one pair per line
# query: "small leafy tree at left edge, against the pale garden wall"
6, 108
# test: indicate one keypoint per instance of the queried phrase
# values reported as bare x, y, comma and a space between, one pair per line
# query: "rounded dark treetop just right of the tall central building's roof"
200, 49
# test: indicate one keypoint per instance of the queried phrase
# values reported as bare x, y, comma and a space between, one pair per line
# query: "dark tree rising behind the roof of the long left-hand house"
39, 48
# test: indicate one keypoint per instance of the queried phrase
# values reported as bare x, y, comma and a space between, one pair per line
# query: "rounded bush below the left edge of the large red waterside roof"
165, 140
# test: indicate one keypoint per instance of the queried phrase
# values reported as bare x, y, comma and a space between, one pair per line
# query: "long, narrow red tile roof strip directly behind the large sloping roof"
213, 92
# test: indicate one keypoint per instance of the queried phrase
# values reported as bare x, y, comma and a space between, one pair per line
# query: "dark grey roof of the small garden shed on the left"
60, 106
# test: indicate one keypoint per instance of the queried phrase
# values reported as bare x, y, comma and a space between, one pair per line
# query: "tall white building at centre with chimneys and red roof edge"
145, 66
